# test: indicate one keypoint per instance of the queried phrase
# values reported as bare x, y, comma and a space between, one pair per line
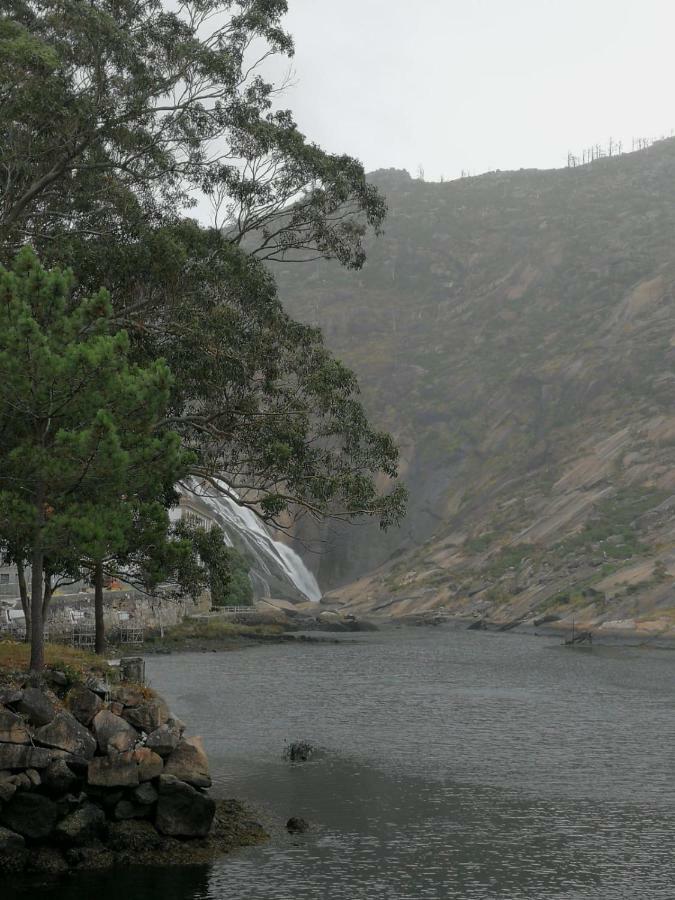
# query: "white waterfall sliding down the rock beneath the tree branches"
275, 566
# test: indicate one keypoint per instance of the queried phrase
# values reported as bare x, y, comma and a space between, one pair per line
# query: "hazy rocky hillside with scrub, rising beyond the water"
516, 331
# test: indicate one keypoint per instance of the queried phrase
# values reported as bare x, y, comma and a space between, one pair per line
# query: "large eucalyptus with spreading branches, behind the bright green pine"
115, 115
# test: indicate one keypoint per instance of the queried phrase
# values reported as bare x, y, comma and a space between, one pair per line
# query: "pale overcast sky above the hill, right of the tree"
480, 84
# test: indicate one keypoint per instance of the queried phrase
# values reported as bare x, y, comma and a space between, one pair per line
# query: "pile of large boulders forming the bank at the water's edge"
84, 765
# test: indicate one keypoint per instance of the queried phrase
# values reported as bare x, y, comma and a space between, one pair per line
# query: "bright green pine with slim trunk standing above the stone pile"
68, 397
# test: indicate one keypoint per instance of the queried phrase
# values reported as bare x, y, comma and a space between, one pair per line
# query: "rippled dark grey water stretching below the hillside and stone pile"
458, 765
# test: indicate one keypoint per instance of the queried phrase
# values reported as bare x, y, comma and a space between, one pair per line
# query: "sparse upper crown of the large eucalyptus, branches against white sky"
115, 113
